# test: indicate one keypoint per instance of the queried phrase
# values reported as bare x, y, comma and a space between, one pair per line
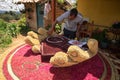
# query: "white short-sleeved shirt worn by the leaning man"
70, 25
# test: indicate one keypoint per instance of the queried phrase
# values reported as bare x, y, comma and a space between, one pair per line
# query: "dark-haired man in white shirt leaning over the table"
72, 21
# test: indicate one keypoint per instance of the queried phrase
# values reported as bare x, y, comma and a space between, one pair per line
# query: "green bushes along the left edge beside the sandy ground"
10, 30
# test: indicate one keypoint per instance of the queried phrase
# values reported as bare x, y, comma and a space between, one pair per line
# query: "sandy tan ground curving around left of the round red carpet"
18, 41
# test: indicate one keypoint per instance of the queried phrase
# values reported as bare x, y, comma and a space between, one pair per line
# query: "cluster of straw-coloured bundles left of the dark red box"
34, 39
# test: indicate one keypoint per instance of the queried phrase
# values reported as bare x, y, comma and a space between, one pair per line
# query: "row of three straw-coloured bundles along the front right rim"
75, 55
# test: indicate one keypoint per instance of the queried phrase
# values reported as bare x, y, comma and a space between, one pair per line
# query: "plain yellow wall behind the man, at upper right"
102, 12
